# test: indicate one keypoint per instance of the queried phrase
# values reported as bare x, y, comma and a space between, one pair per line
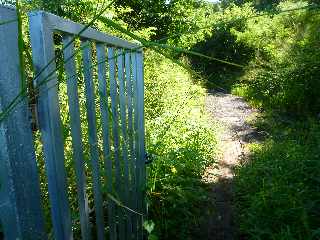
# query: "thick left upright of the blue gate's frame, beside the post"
41, 35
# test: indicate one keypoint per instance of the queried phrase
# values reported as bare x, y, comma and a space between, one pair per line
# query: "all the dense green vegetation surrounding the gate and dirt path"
273, 46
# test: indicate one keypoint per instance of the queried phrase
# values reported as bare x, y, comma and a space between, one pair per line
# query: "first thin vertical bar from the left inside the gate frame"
74, 109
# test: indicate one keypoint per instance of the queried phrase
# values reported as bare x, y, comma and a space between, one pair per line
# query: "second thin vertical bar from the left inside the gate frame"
93, 140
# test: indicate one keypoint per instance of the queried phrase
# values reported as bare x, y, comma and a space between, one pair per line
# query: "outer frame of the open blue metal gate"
43, 25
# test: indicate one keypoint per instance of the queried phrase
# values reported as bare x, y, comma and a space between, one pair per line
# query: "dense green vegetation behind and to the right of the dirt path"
276, 189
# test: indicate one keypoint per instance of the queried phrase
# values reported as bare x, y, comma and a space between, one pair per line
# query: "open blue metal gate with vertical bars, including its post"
112, 73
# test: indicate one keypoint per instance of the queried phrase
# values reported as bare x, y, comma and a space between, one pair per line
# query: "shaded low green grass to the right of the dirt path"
277, 189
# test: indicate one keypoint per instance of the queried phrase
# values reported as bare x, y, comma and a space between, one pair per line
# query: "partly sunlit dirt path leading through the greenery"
230, 112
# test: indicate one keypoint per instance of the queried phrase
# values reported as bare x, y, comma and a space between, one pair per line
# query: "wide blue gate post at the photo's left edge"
20, 208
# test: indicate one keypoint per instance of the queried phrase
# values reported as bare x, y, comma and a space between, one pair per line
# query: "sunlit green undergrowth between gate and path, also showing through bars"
177, 134
